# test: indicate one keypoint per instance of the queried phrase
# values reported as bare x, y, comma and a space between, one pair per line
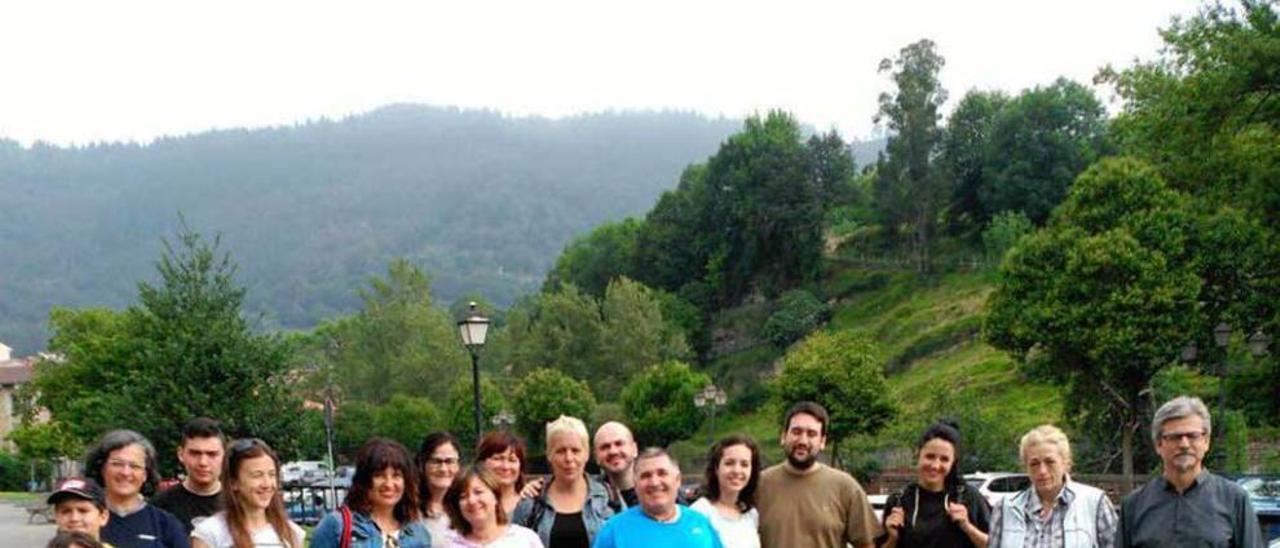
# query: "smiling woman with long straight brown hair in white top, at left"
254, 514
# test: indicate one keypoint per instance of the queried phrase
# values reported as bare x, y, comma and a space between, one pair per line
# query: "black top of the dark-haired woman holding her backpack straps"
930, 526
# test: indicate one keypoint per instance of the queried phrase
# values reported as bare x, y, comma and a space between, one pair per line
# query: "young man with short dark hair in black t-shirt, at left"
202, 455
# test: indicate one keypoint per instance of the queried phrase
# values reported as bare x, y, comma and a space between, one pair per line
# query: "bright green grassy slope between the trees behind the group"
929, 334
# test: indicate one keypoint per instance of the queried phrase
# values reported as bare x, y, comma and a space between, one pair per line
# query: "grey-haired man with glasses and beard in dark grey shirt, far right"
1187, 505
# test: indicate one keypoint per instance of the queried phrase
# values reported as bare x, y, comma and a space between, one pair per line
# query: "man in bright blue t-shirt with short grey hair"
659, 522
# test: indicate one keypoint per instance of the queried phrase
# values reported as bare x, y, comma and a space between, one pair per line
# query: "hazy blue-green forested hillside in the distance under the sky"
482, 202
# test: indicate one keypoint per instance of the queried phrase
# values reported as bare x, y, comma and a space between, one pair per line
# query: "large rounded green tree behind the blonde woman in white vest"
1105, 295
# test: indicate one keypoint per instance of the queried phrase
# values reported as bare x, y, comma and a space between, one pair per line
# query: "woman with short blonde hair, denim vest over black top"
573, 508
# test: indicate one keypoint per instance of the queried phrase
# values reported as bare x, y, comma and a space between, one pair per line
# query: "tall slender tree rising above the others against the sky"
909, 191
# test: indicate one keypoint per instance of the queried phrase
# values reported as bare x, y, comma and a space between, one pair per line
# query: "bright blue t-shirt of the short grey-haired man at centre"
634, 529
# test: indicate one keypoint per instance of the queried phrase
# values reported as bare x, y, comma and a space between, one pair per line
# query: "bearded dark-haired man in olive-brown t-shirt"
807, 504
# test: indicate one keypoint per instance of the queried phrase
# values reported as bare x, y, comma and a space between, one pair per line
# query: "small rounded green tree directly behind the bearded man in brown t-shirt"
840, 372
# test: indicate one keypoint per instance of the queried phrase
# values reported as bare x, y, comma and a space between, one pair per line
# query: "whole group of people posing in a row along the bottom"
231, 496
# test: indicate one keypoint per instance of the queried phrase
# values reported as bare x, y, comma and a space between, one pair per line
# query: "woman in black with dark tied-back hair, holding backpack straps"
938, 509
